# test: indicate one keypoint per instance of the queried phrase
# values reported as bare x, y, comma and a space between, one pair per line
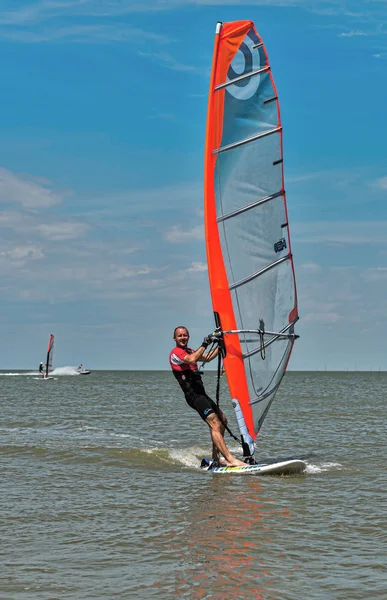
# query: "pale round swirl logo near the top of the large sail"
245, 60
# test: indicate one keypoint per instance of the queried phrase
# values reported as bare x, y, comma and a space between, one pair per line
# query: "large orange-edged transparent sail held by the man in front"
249, 256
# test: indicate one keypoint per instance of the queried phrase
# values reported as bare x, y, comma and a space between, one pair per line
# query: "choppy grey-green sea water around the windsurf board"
102, 495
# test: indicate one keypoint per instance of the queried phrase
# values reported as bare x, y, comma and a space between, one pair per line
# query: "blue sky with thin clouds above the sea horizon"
103, 110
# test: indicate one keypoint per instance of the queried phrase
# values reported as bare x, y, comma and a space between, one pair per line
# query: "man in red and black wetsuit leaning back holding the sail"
183, 361
